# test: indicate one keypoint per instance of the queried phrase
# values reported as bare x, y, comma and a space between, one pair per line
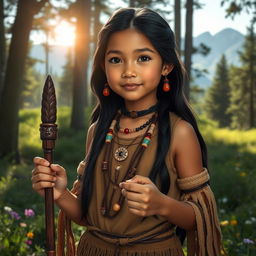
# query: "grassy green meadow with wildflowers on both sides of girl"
232, 155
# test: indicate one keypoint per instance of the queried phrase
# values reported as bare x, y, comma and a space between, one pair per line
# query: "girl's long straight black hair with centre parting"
157, 30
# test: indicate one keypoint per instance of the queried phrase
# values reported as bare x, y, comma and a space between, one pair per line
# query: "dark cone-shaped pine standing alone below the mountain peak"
217, 98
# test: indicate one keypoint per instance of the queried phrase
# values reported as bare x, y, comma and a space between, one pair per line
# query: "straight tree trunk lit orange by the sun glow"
80, 95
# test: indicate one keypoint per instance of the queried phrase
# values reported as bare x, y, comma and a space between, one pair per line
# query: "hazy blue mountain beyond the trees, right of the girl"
228, 41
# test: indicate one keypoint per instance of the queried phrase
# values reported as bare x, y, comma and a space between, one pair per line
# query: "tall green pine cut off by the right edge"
243, 85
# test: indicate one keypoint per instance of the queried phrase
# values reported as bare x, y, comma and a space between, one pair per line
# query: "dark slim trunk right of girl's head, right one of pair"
188, 45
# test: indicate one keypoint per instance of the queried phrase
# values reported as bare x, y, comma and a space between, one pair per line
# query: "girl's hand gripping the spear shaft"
45, 175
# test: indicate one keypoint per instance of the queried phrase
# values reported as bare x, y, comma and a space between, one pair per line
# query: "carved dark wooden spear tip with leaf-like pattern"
49, 110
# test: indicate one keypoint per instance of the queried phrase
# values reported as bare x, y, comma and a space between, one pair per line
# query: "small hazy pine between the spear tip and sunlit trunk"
65, 87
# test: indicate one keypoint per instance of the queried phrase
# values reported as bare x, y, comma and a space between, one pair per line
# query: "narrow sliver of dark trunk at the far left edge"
2, 46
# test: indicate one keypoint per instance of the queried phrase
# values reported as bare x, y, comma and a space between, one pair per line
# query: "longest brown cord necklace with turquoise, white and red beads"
109, 208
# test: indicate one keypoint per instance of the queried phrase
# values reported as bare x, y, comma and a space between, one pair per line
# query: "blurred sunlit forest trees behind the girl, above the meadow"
230, 100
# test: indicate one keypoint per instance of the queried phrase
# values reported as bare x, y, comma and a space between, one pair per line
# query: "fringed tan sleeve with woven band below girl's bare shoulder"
205, 239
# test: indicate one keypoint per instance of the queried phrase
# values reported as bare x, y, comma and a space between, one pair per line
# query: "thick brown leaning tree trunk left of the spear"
9, 106
